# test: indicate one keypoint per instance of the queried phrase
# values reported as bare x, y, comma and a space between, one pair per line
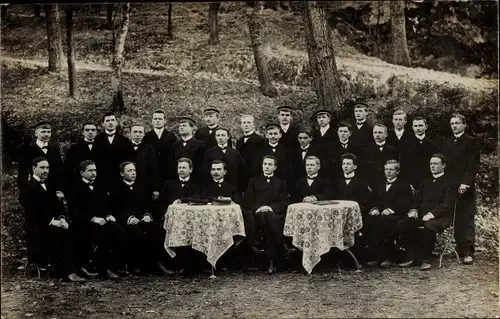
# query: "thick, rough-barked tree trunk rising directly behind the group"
321, 55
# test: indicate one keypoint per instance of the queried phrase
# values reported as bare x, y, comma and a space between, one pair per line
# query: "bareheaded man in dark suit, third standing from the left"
111, 150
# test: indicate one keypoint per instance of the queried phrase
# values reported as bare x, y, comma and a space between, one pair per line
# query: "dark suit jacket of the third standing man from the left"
110, 156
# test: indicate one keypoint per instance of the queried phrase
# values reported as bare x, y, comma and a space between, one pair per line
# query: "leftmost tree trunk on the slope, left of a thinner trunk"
54, 37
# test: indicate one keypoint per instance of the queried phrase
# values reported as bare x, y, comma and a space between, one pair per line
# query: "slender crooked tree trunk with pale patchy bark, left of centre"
119, 36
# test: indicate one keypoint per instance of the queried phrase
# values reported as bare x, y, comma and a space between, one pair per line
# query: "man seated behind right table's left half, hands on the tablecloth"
311, 187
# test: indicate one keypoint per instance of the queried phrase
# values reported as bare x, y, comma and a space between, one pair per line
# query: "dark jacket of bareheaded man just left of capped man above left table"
162, 146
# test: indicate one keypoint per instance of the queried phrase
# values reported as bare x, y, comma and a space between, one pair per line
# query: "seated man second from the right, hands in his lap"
391, 202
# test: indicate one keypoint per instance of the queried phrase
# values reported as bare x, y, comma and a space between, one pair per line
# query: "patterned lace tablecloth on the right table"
317, 228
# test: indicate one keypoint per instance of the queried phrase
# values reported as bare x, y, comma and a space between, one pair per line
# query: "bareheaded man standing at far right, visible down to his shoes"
463, 158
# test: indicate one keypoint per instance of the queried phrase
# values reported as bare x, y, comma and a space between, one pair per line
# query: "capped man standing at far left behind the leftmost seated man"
41, 148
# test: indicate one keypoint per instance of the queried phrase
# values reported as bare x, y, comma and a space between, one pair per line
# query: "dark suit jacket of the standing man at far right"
462, 159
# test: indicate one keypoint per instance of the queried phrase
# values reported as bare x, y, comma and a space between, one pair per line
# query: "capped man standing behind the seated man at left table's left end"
190, 147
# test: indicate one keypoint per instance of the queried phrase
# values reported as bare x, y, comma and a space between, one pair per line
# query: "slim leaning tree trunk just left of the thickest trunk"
254, 27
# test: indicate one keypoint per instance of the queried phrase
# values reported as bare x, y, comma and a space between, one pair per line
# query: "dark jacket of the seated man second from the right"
399, 197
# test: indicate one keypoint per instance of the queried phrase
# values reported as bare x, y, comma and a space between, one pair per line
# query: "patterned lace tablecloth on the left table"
206, 228
